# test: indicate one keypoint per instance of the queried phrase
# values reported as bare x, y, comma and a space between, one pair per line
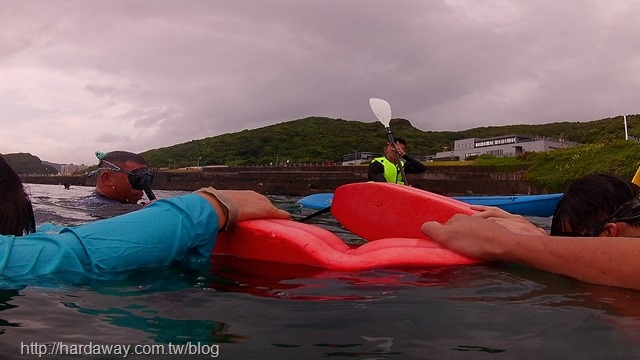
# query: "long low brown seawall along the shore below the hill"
307, 180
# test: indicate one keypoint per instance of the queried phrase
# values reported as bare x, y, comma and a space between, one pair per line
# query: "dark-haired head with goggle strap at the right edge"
592, 203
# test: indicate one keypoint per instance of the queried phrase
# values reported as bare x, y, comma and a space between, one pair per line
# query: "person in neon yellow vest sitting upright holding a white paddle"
387, 169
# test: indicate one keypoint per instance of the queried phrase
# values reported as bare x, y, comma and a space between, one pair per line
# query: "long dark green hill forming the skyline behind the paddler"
318, 139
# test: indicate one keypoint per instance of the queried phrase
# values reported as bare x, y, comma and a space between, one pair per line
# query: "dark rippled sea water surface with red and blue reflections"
249, 310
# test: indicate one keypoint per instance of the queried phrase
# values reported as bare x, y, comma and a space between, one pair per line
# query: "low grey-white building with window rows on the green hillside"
501, 146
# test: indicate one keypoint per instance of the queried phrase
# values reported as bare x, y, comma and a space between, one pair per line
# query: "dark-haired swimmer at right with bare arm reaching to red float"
592, 207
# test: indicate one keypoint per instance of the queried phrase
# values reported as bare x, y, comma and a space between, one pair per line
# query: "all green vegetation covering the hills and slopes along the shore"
319, 139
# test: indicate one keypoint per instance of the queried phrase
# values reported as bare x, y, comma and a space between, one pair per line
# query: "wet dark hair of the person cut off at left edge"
16, 211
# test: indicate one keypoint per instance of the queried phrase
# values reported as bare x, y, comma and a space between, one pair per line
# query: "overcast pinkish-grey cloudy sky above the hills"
87, 75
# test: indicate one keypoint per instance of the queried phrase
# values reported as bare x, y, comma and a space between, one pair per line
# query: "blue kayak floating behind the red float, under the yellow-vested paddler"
525, 205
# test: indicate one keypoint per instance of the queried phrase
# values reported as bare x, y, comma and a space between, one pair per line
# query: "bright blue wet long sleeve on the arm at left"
179, 229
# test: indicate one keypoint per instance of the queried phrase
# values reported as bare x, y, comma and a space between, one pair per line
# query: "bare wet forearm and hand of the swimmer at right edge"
605, 261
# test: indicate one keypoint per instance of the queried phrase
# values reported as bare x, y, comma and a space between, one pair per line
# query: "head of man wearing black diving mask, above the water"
123, 176
